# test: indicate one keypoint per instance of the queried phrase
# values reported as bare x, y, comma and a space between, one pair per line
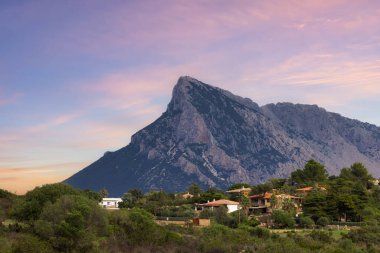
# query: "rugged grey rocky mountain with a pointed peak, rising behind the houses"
211, 137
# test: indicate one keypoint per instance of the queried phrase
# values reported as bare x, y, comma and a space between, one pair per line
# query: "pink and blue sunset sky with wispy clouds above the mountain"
79, 78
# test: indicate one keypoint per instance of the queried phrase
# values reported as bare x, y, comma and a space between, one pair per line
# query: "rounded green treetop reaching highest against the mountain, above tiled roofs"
312, 173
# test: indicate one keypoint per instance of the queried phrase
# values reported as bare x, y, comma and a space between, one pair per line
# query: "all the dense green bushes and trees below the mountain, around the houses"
59, 218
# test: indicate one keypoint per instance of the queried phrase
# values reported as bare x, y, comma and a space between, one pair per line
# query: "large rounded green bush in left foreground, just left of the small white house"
72, 223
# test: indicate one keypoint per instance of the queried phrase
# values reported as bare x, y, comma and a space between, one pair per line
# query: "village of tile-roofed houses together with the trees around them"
309, 198
